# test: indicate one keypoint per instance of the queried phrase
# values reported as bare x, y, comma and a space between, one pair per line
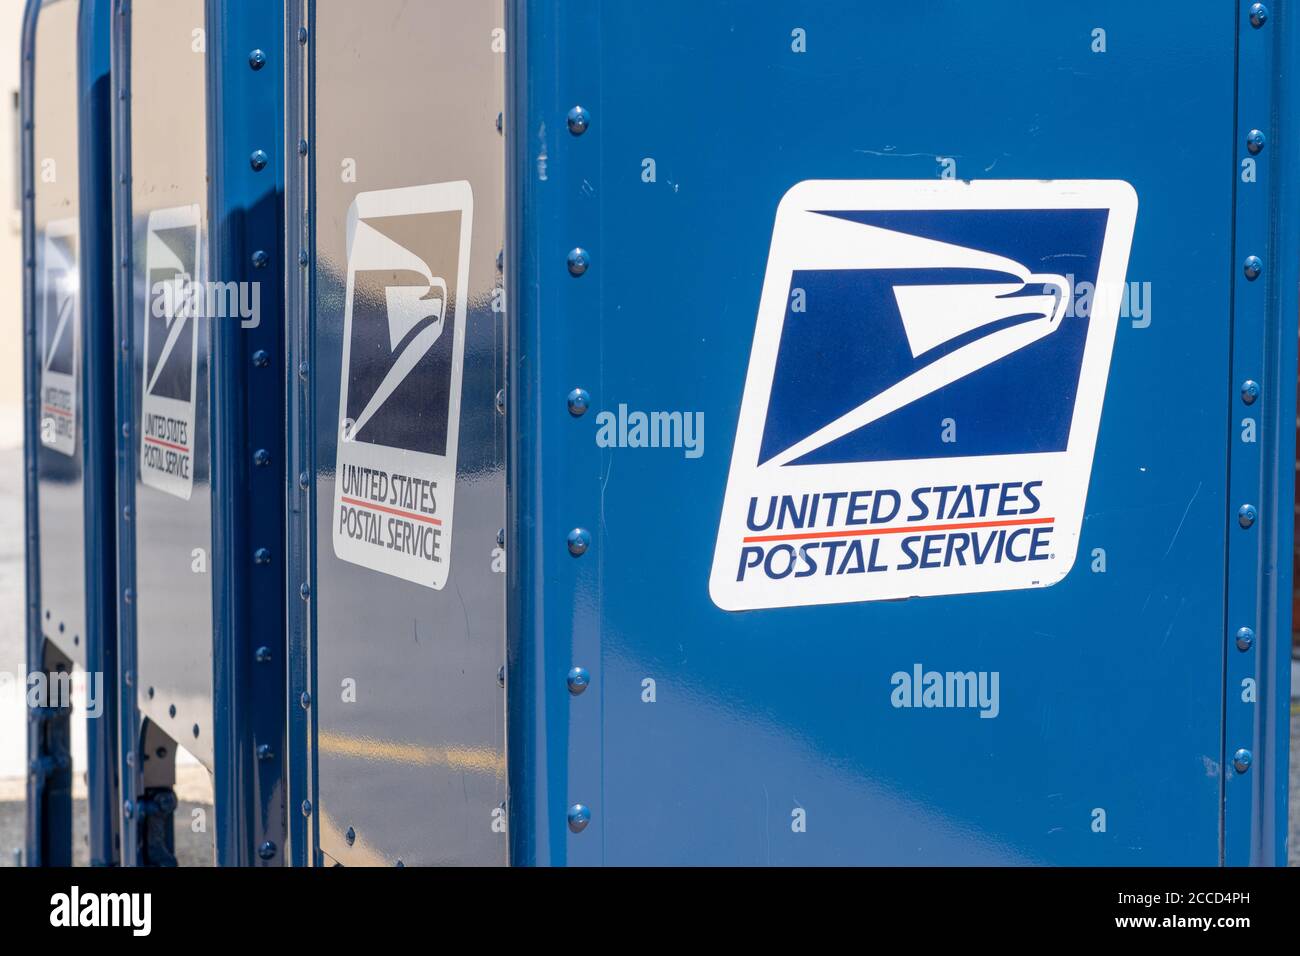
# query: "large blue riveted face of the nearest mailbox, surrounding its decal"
772, 736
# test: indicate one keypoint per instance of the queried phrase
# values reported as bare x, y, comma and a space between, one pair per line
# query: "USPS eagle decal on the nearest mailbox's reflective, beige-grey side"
400, 390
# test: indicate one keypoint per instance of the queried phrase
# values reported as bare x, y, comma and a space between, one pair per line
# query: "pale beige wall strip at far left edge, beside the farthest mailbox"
11, 230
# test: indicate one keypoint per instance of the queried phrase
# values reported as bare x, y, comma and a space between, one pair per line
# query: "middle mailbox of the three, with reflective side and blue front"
201, 482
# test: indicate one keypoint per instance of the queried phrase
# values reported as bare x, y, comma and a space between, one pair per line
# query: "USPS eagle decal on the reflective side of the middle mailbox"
174, 259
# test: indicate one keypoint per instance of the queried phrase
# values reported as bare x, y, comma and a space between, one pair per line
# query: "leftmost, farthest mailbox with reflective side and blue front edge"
70, 431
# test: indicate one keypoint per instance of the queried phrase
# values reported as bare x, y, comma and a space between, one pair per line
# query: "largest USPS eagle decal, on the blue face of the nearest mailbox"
922, 403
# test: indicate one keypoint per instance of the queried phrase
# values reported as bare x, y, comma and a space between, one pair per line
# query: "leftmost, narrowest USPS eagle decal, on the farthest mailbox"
60, 336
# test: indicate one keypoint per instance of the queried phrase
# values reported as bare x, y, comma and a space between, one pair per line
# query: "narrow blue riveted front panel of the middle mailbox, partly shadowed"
249, 479
